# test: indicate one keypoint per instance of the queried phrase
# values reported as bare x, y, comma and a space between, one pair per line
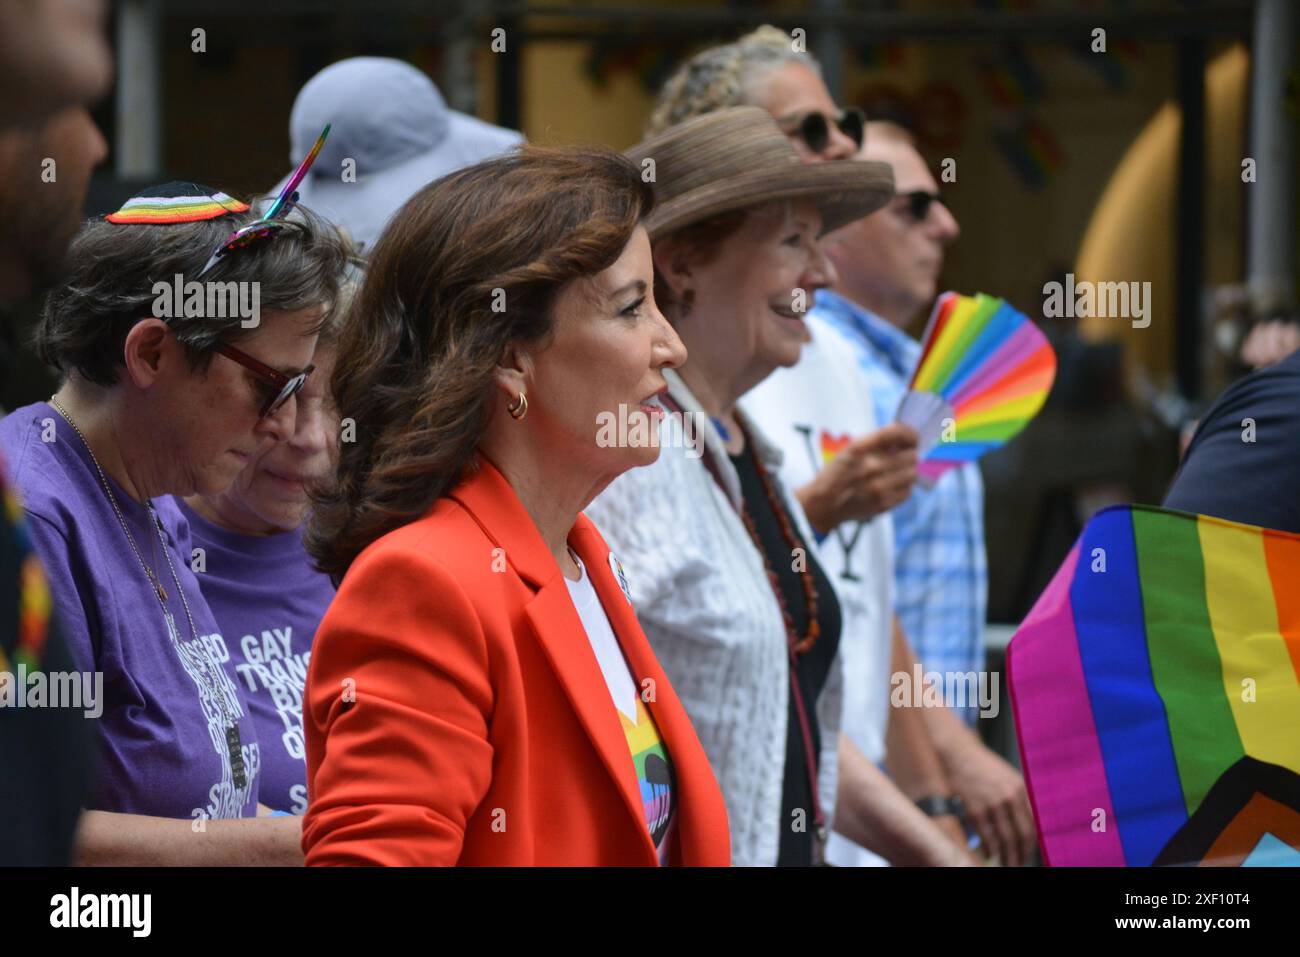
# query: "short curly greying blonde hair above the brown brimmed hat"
721, 77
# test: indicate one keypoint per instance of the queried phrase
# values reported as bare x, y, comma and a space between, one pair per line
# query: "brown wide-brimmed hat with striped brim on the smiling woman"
739, 158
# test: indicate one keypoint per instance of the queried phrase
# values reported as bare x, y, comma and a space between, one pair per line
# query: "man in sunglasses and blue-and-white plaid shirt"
889, 267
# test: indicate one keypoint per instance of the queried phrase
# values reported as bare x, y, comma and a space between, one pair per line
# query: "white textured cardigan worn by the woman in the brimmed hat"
704, 599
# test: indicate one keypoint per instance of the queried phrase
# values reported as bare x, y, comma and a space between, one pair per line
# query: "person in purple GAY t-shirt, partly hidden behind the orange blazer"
262, 584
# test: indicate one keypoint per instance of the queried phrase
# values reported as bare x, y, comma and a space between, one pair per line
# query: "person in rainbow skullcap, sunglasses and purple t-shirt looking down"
151, 408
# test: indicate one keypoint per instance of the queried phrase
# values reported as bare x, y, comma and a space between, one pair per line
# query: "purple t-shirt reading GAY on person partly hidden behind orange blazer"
268, 601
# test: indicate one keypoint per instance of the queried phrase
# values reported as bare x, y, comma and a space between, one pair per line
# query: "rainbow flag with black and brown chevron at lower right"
1156, 690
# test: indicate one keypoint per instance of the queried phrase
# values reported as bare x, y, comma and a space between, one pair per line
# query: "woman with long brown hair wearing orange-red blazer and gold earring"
480, 692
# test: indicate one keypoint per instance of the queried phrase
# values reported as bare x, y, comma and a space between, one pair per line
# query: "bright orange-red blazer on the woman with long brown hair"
456, 712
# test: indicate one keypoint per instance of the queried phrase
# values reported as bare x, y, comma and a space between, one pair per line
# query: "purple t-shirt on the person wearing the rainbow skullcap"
168, 698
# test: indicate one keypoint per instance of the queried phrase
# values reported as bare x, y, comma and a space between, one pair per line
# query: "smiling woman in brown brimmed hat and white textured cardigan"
717, 549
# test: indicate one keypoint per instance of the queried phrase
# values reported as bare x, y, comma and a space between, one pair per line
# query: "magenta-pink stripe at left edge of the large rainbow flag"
1060, 752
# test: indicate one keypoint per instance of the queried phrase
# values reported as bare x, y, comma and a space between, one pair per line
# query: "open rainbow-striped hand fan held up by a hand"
985, 373
